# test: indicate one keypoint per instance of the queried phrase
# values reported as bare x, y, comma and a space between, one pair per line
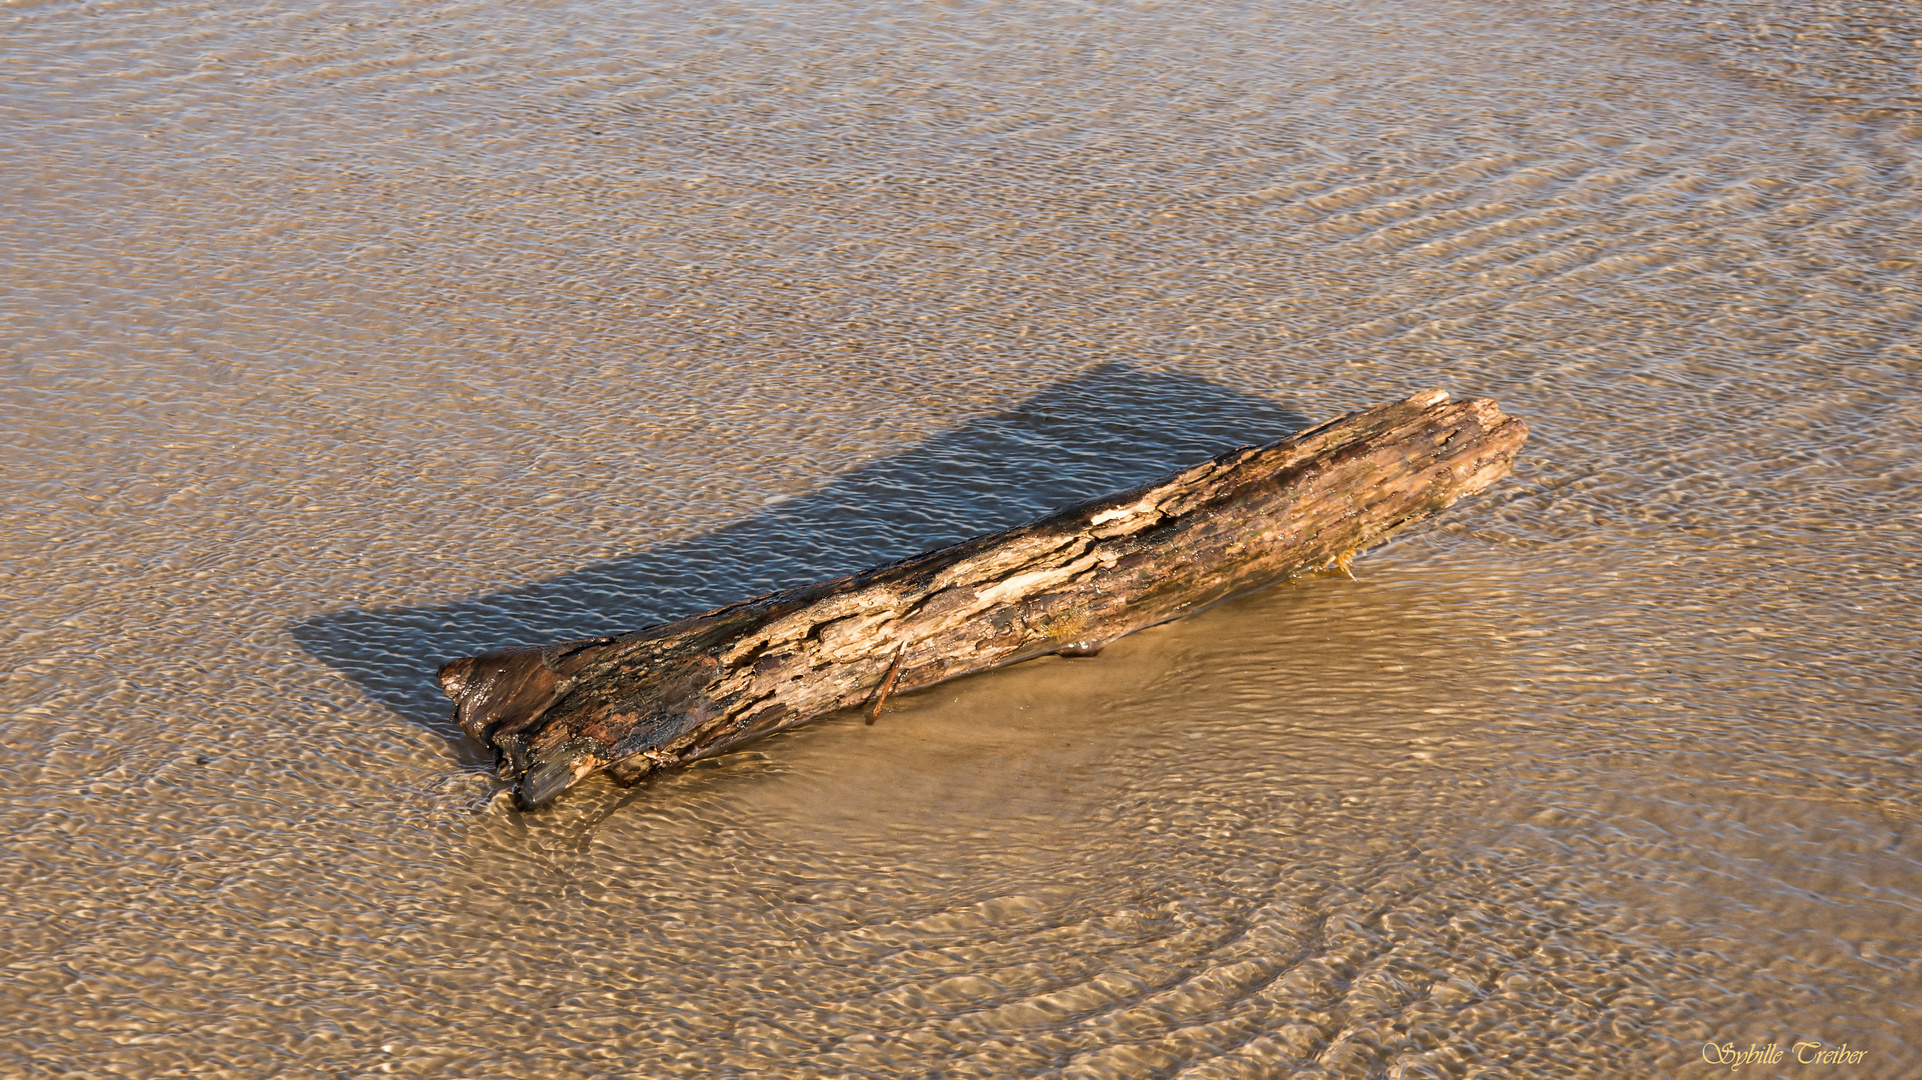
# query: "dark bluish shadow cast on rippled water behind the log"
1102, 431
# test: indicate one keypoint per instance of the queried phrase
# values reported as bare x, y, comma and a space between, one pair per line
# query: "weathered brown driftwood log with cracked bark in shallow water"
1068, 585
